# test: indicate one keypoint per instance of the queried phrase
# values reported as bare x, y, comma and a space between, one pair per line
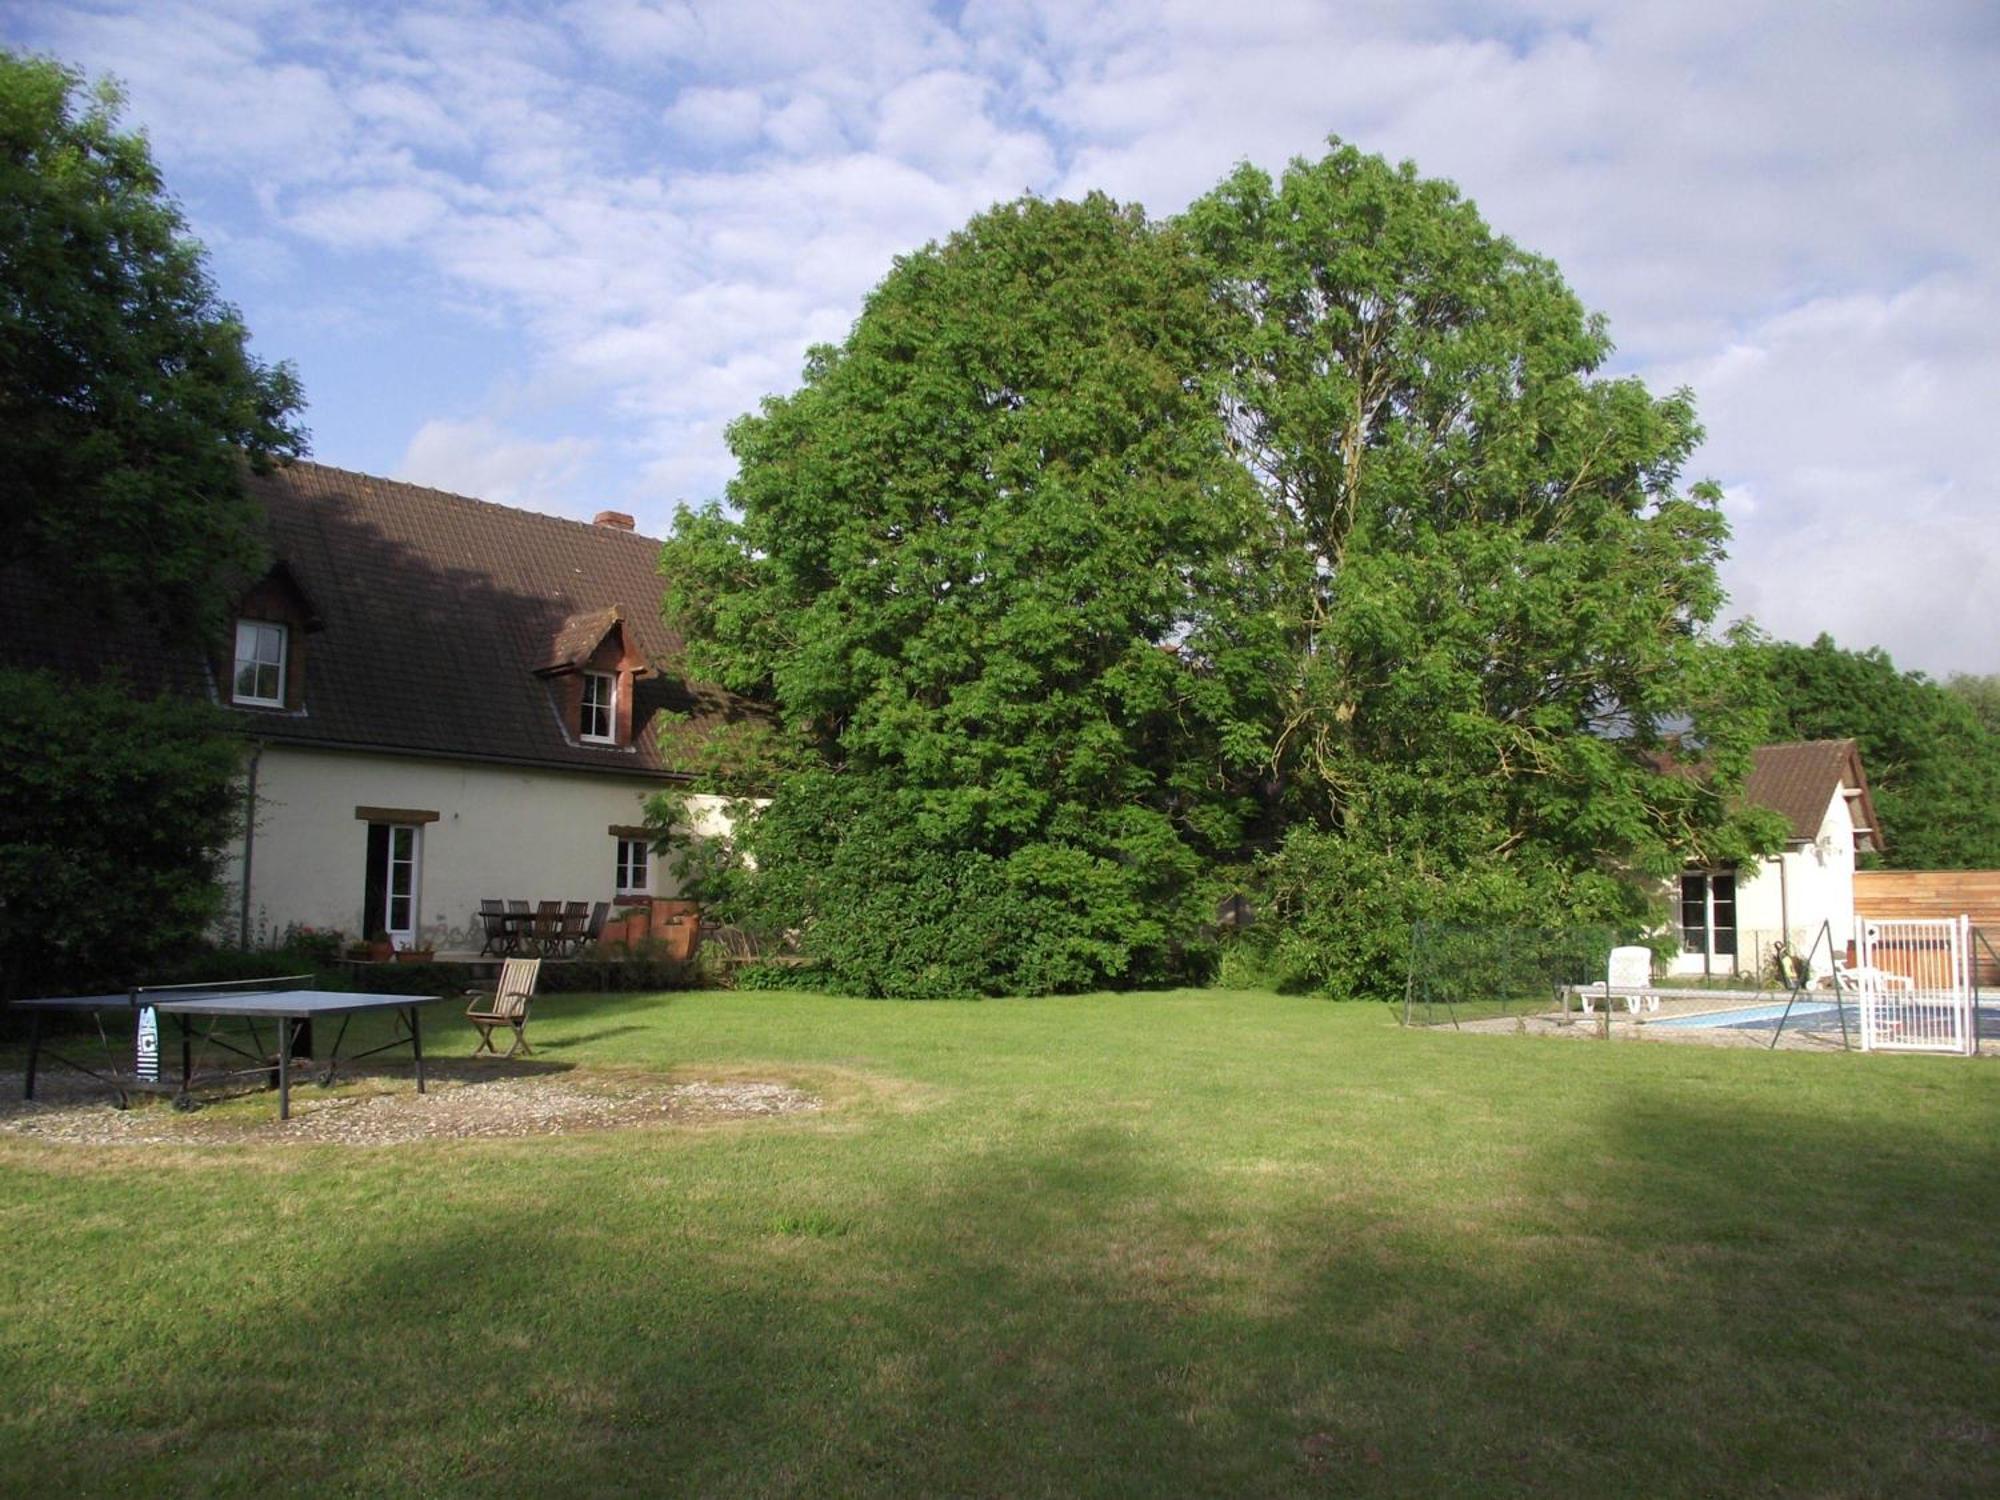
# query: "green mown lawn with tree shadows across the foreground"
1179, 1245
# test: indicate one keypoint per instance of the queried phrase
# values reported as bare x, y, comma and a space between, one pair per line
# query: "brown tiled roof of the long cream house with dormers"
433, 615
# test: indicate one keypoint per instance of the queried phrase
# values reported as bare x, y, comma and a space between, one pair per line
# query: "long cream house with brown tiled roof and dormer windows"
445, 701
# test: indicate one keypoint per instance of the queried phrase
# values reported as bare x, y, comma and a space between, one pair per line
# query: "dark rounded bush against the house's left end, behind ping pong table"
113, 817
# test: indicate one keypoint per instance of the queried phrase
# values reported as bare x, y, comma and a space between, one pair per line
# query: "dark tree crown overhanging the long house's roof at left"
129, 399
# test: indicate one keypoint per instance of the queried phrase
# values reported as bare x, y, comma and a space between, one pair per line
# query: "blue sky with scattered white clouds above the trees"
547, 253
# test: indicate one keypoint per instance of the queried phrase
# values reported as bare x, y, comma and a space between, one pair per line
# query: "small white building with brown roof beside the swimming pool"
1729, 921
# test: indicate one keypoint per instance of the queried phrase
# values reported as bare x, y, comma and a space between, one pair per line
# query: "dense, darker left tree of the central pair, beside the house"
987, 571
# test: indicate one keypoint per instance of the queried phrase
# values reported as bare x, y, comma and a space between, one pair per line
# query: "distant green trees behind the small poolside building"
1931, 761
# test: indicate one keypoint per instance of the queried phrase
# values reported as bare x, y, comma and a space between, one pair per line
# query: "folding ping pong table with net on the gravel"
217, 1019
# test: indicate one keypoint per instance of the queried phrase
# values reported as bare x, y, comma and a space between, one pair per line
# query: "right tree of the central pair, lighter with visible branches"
1493, 591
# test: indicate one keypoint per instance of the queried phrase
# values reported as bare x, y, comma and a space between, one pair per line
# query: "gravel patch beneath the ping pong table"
385, 1111
